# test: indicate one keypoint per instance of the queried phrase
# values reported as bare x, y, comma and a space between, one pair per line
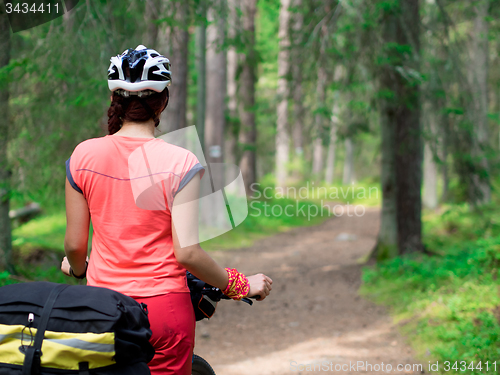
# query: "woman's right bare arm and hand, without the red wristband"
193, 257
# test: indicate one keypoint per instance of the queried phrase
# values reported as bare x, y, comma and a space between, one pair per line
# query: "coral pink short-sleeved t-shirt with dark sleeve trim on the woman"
129, 184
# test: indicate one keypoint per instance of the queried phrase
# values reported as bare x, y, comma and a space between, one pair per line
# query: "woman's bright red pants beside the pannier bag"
172, 321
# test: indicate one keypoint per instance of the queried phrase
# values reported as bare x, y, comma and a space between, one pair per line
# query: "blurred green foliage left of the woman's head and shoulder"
59, 94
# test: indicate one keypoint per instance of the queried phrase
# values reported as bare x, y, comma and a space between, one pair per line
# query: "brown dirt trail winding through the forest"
314, 314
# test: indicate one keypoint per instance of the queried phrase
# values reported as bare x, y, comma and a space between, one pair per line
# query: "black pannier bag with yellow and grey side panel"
55, 329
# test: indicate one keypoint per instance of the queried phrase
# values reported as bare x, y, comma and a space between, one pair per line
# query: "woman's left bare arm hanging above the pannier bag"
77, 231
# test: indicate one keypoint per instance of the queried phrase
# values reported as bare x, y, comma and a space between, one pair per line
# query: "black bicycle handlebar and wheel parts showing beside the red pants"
205, 298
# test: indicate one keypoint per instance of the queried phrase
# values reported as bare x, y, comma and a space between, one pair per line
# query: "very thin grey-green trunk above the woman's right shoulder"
201, 45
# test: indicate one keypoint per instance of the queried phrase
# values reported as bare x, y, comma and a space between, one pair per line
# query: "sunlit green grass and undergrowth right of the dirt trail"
448, 304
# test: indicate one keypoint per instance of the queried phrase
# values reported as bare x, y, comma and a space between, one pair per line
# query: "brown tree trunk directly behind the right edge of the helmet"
177, 38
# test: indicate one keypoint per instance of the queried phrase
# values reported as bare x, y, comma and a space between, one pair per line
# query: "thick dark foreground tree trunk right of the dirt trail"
409, 137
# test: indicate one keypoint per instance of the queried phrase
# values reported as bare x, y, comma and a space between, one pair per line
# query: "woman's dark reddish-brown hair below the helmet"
131, 109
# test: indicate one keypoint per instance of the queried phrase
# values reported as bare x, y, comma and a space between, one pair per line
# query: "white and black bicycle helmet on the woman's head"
140, 72
